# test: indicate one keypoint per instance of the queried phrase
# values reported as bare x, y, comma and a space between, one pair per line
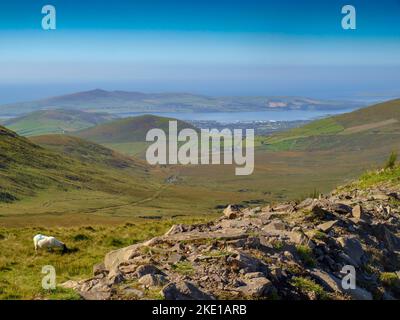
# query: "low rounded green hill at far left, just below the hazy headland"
55, 121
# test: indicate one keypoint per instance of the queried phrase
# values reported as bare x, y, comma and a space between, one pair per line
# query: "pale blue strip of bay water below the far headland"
231, 117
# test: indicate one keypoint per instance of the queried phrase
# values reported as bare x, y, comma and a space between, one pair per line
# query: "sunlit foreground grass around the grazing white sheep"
20, 267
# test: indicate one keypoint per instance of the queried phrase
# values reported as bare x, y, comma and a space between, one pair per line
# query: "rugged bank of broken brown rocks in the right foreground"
285, 251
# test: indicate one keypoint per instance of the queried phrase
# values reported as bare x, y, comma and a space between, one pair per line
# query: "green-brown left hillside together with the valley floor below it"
79, 182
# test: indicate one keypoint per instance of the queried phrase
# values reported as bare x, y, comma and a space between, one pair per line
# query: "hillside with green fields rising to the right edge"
376, 124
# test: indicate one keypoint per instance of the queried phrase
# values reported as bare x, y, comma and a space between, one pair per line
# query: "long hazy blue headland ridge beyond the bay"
119, 101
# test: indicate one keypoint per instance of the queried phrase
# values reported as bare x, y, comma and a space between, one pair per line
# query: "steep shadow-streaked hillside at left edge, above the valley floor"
26, 169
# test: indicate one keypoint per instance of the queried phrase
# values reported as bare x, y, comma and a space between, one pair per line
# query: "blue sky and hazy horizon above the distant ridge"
220, 47
